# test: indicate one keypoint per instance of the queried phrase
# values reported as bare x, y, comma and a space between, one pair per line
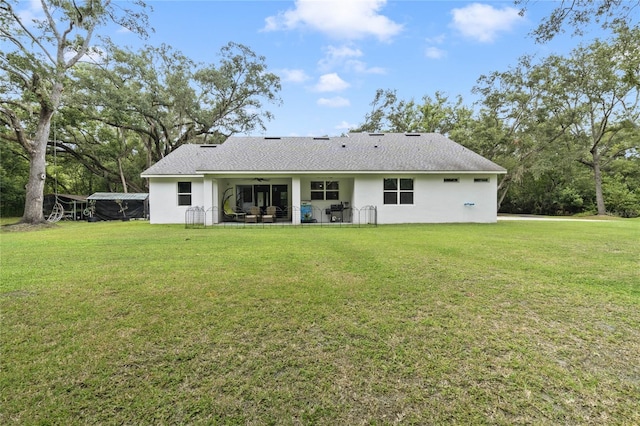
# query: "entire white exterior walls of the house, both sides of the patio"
435, 201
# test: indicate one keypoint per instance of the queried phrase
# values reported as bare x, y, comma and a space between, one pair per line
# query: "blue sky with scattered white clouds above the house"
333, 55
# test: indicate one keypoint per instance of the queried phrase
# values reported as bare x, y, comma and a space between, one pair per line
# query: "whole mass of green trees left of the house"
75, 118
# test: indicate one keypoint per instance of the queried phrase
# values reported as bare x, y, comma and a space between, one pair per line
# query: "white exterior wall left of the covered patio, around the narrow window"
163, 199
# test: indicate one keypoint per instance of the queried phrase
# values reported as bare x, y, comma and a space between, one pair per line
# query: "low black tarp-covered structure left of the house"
118, 206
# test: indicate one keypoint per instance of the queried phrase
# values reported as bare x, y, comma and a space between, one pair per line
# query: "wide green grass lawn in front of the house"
511, 323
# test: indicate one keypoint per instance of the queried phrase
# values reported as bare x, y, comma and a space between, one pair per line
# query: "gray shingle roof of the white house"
359, 152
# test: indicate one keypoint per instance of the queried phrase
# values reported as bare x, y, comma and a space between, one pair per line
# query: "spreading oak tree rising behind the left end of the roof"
166, 99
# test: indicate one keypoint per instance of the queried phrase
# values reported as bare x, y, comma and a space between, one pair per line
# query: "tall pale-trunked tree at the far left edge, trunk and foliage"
37, 56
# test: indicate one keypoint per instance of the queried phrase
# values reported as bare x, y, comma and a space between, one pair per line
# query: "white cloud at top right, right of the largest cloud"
483, 22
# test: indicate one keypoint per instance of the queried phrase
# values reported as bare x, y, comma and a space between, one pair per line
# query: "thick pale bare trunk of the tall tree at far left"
37, 170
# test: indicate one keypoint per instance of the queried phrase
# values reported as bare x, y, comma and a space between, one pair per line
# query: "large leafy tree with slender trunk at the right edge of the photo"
583, 107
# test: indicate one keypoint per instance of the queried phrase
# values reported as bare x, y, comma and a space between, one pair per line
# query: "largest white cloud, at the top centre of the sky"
341, 19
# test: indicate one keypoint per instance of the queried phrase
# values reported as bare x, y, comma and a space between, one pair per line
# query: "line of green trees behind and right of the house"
566, 128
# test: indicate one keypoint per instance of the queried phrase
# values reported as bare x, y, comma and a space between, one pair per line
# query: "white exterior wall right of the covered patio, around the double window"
434, 201
